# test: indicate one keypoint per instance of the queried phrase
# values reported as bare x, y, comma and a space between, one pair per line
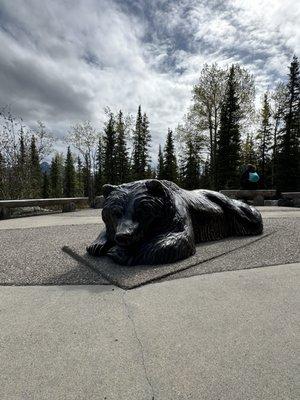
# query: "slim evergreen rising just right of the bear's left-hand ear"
121, 152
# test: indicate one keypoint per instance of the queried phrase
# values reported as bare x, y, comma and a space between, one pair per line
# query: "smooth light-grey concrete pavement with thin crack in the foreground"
229, 336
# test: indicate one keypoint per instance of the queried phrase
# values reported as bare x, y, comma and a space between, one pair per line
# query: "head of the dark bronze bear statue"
135, 211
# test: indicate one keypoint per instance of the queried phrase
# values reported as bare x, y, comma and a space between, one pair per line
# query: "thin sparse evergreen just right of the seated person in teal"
264, 138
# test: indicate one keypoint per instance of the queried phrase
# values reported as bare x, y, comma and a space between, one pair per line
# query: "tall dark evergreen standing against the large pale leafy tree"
228, 152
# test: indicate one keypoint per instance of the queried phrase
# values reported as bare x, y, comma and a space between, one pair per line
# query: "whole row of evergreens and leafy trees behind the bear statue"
220, 134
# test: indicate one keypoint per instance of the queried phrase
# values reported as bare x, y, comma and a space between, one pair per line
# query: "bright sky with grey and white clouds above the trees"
63, 61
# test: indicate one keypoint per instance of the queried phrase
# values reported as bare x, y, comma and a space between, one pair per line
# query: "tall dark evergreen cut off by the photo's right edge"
288, 167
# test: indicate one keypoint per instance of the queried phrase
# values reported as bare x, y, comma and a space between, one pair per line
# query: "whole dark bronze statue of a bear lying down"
157, 222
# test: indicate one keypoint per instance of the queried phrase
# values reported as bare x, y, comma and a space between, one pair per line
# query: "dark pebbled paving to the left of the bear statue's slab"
34, 256
